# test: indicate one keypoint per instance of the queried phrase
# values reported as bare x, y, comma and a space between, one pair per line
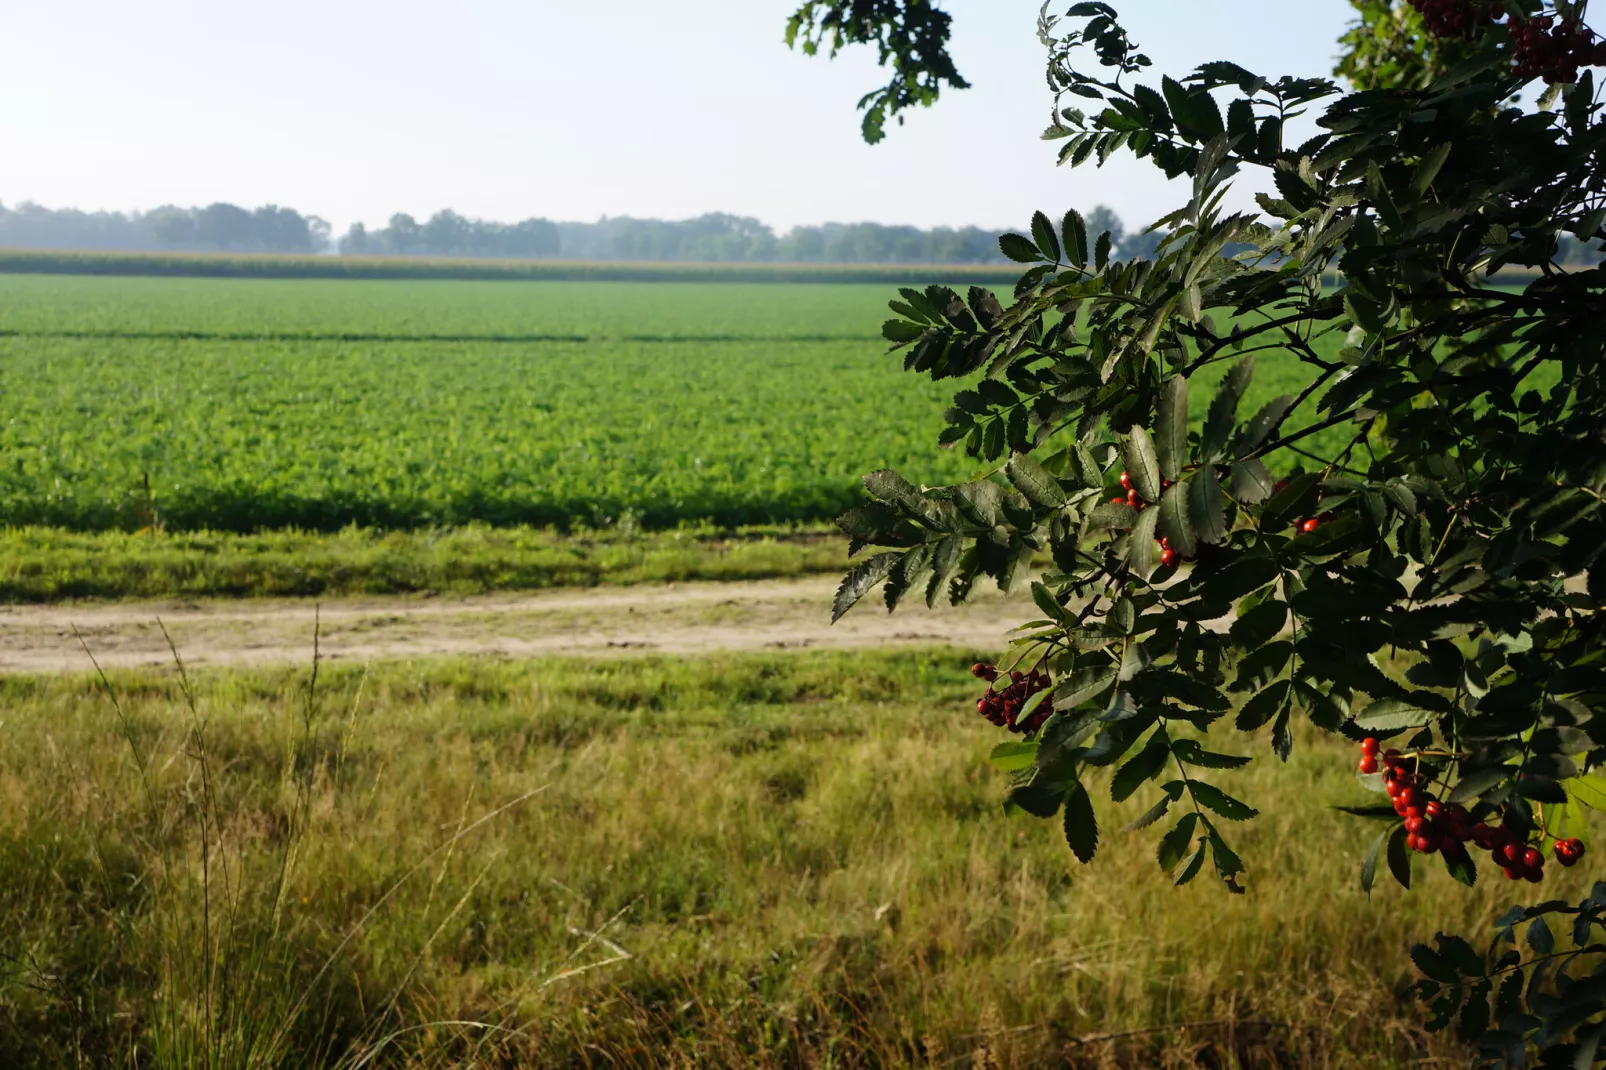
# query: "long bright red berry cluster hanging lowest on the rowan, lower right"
1446, 828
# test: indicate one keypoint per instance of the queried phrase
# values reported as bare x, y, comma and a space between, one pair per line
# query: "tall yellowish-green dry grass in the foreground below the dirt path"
738, 862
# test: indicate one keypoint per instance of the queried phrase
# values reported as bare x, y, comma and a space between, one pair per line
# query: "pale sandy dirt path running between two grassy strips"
672, 619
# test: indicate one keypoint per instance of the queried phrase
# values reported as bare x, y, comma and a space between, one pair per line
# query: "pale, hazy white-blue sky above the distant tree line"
574, 110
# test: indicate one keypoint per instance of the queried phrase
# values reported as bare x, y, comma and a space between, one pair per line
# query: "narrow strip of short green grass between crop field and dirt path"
51, 565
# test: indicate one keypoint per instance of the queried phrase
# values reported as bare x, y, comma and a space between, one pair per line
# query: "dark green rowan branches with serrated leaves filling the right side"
1432, 574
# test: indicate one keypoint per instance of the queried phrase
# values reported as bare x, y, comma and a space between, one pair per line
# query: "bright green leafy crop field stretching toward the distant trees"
255, 406
